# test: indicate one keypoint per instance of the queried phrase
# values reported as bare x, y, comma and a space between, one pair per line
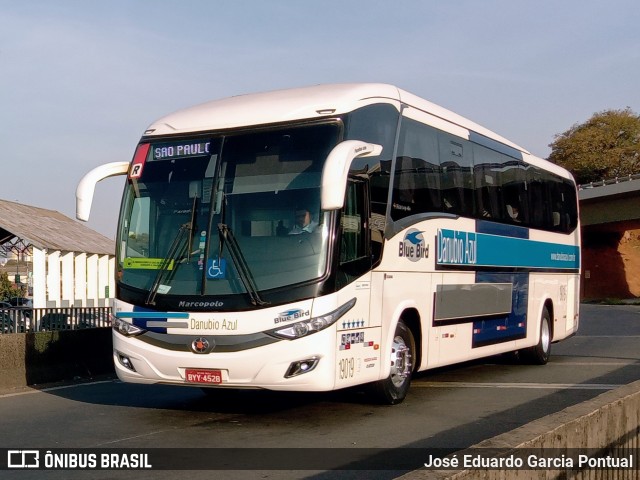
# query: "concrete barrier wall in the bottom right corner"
611, 420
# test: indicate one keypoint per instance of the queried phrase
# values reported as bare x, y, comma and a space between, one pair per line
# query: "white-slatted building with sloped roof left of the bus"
60, 261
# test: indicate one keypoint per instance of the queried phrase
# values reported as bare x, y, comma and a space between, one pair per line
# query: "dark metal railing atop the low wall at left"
26, 319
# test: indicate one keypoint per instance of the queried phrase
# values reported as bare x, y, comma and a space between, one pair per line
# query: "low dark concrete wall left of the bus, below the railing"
44, 357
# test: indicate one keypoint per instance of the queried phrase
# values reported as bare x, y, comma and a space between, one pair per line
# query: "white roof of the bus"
300, 104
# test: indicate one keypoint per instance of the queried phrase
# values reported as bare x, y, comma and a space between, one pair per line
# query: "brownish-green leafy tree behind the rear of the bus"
605, 146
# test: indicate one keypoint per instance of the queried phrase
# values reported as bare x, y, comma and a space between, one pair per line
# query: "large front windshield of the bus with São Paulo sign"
223, 215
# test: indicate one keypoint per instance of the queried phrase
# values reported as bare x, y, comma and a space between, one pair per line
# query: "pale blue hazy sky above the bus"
80, 80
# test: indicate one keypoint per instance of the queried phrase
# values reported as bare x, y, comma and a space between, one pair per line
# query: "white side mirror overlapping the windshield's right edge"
336, 170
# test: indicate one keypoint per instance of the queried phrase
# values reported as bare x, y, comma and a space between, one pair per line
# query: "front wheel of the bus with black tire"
393, 389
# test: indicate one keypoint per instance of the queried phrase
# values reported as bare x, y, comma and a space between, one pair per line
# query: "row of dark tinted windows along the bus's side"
439, 172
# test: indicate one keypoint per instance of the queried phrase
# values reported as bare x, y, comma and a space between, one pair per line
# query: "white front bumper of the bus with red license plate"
304, 364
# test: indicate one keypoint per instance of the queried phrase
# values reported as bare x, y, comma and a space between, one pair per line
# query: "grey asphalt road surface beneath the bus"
453, 407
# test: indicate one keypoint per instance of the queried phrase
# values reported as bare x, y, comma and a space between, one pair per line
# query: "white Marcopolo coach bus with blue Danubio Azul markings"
319, 238
